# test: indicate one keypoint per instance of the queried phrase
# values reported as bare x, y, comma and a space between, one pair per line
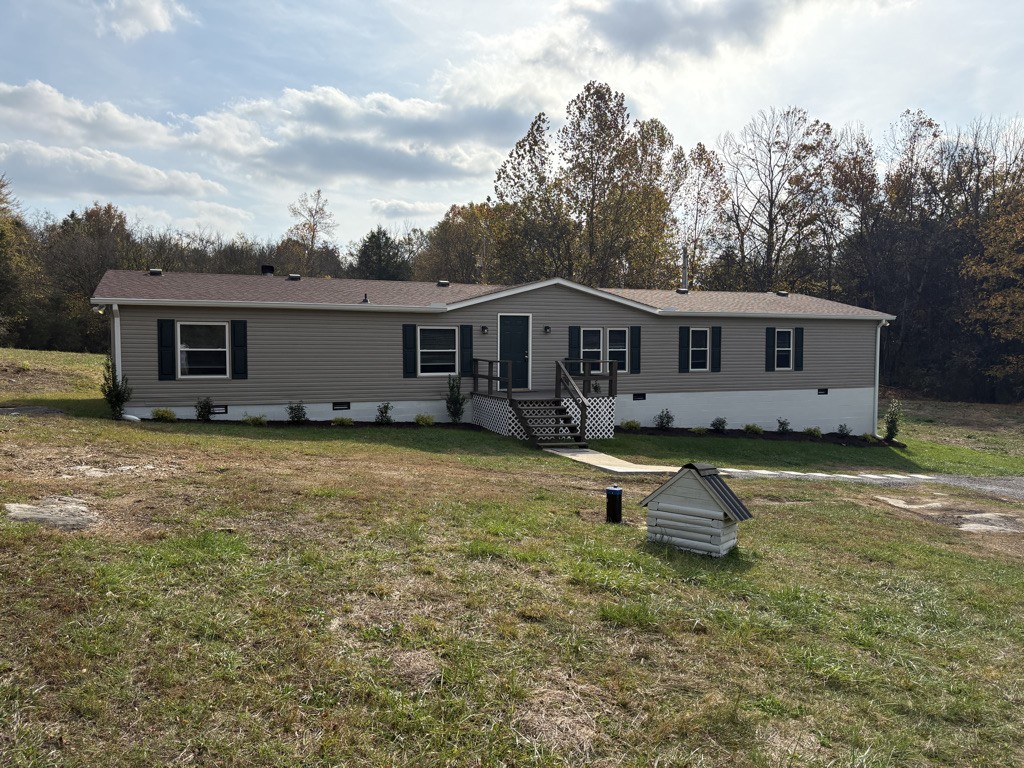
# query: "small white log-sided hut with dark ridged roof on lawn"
696, 511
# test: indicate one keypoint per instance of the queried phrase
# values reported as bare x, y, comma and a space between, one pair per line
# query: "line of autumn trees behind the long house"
926, 224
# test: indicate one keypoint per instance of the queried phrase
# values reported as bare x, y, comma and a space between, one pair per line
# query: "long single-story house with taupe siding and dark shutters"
255, 344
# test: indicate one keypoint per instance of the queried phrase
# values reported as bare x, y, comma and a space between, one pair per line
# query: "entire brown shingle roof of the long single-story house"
129, 287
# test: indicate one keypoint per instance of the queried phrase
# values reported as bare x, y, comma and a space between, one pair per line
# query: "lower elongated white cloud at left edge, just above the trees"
98, 173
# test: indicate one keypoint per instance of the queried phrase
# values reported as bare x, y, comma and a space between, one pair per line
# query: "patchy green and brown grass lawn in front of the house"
318, 598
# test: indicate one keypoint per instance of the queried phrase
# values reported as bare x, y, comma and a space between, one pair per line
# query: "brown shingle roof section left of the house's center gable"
175, 287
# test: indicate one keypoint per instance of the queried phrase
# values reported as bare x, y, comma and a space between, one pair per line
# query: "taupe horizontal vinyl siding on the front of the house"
325, 356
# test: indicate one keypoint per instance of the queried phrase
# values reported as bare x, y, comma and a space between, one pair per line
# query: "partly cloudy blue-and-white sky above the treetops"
217, 116
